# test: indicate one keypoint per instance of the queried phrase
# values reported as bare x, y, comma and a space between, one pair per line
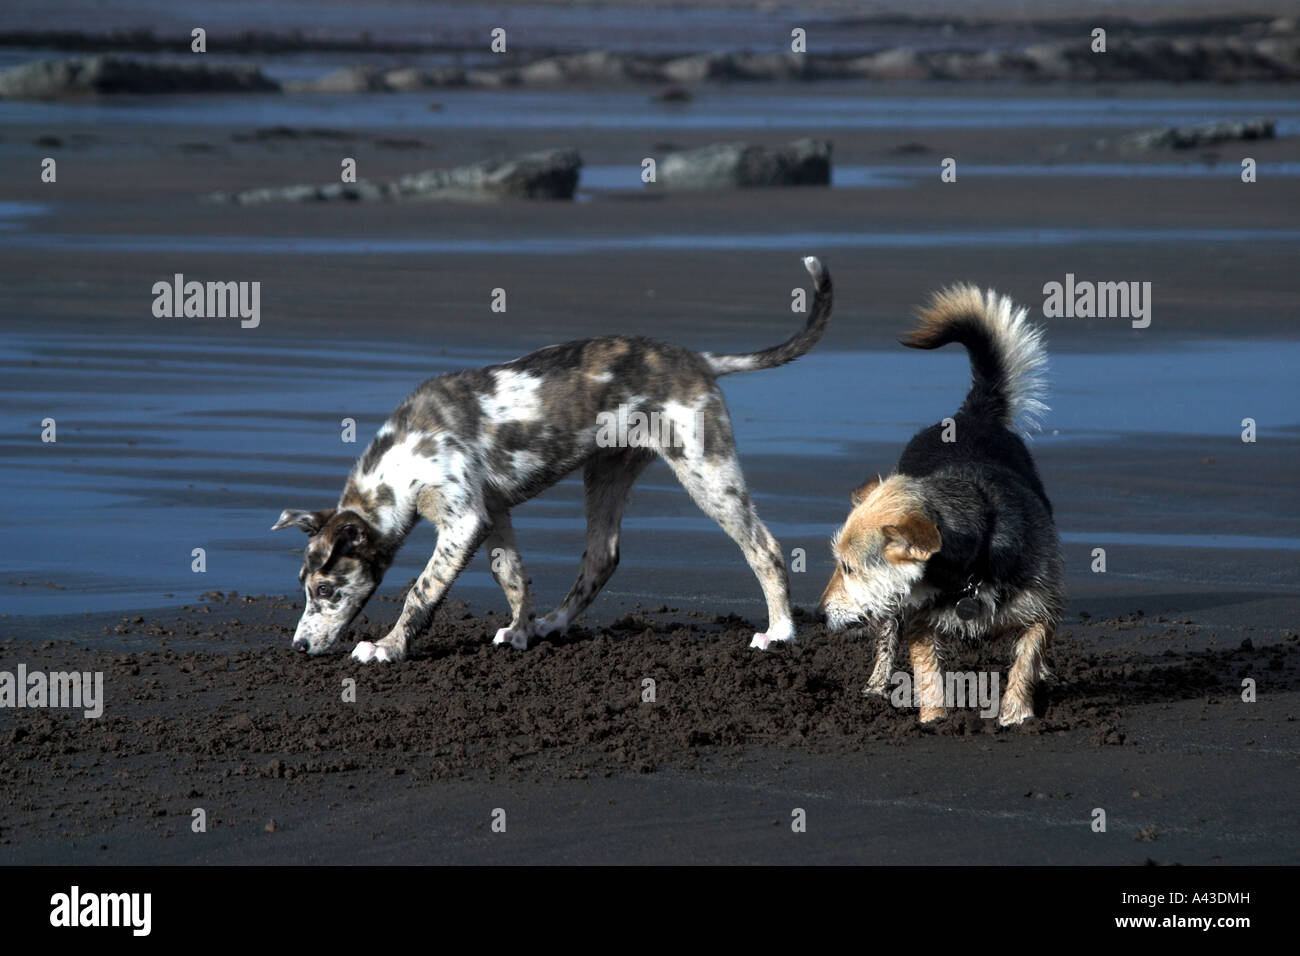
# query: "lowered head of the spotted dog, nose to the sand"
343, 566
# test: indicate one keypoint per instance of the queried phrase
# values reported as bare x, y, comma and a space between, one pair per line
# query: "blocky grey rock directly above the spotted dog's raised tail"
743, 166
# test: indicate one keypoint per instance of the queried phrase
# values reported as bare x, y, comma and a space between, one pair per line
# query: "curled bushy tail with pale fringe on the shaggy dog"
1008, 360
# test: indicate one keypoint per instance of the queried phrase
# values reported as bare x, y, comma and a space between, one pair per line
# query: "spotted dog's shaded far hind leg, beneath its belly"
608, 481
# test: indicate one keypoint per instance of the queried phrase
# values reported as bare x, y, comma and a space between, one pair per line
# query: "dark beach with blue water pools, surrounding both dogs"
183, 434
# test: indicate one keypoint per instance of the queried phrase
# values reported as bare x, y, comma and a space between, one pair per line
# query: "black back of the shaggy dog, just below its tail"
978, 443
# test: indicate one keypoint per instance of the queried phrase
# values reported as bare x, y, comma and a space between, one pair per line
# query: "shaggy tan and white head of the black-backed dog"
881, 553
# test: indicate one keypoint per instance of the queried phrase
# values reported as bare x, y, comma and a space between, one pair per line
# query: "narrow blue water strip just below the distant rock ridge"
817, 107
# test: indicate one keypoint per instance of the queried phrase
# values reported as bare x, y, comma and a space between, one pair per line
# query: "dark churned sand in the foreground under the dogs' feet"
1143, 721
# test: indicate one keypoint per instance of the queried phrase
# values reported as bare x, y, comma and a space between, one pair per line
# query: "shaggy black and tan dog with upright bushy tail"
959, 546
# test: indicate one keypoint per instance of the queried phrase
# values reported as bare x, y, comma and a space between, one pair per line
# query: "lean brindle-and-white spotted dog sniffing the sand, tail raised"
466, 448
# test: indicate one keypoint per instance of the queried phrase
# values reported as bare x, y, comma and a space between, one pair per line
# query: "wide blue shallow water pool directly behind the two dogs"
167, 447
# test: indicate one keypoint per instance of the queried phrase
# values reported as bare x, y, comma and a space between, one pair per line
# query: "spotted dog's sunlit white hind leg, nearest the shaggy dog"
718, 486
